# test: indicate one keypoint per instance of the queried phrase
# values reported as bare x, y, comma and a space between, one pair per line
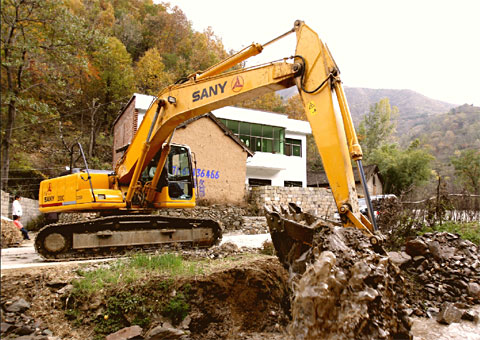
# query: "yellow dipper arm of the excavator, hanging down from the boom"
326, 122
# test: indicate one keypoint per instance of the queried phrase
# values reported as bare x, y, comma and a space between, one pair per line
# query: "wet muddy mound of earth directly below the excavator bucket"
348, 291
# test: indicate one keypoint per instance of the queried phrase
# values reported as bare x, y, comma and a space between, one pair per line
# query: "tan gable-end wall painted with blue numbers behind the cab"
215, 151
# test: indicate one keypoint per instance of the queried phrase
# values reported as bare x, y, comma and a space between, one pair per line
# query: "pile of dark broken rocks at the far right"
442, 268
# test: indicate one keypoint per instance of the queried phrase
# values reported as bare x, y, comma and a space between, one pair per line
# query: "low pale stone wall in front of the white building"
318, 200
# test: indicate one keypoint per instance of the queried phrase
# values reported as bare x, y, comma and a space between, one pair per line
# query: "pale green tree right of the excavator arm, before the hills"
377, 127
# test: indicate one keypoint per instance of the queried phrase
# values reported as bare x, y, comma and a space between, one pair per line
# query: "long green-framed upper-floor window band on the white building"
258, 137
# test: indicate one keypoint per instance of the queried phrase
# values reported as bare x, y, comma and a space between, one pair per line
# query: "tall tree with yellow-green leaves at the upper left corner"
41, 43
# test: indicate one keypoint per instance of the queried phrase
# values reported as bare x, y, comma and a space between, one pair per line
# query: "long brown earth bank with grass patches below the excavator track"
245, 296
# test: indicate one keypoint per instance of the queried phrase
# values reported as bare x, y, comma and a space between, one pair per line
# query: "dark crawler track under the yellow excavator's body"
116, 235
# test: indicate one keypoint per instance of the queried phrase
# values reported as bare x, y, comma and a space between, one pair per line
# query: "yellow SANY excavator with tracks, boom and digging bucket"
156, 174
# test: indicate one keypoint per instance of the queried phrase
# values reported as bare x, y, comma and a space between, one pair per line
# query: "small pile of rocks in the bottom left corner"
16, 324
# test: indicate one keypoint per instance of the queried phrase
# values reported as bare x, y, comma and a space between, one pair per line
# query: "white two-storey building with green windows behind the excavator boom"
279, 144
